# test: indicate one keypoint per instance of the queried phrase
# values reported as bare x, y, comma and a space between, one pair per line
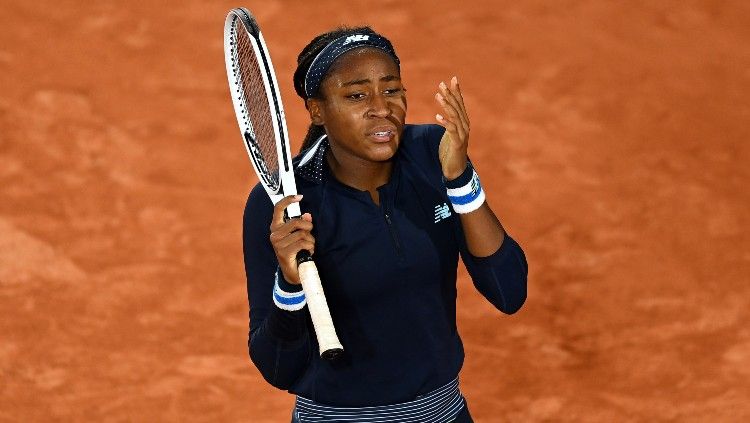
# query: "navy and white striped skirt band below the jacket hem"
439, 406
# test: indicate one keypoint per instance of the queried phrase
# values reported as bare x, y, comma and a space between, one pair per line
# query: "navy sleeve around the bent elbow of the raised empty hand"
500, 277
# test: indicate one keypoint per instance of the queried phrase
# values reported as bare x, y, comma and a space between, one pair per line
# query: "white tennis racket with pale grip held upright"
260, 115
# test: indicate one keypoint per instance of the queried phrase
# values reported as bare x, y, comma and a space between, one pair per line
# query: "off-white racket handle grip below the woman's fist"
318, 307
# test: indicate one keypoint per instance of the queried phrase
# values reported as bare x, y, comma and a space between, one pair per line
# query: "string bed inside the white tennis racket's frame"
258, 113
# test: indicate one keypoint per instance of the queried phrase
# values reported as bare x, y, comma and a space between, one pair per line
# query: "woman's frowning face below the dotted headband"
363, 105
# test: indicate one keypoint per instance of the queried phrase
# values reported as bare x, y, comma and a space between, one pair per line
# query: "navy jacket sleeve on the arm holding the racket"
279, 341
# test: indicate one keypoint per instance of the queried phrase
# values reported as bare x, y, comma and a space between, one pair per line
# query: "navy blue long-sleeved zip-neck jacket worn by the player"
389, 274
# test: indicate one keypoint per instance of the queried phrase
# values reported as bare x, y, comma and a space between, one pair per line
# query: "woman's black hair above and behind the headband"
305, 59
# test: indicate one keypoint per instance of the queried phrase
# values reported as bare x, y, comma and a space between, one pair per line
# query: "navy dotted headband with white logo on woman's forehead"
323, 61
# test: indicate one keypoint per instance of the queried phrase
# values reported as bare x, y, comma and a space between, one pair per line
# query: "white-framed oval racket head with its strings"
257, 103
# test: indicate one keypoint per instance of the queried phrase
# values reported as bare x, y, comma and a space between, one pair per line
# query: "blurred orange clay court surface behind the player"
612, 138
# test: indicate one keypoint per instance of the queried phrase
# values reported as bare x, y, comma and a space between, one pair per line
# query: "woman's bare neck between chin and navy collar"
359, 173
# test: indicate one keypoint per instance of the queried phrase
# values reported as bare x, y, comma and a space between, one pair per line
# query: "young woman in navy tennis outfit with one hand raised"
390, 207
